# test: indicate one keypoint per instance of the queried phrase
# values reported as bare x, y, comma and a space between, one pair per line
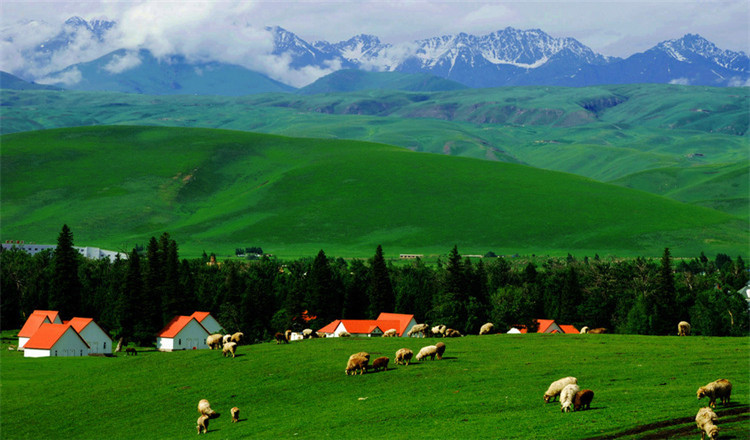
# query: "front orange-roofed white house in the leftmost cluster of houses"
55, 340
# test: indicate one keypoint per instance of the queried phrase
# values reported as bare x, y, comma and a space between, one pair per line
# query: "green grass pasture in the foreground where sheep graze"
485, 387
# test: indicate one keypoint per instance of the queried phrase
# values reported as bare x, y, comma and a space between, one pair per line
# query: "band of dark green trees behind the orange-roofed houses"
135, 297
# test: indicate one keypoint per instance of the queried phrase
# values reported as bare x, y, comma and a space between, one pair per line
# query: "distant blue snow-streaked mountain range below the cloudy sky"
507, 57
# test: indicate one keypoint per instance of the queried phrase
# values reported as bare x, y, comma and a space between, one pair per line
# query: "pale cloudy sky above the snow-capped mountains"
617, 28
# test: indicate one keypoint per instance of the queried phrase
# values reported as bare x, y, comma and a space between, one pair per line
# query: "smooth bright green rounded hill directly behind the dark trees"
119, 185
